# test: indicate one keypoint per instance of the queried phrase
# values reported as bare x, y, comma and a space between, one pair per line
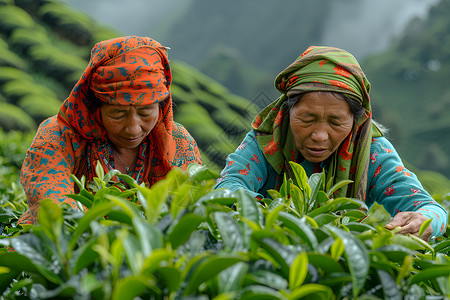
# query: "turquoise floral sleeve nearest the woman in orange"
245, 168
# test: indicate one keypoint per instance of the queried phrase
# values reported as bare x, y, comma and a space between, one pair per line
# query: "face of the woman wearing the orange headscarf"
127, 126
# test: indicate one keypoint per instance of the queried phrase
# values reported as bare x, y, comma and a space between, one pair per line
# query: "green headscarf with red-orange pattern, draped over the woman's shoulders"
321, 69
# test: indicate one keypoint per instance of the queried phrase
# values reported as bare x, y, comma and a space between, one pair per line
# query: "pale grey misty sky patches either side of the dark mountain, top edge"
365, 28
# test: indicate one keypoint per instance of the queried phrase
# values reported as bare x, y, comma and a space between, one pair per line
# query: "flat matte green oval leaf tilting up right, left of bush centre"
181, 231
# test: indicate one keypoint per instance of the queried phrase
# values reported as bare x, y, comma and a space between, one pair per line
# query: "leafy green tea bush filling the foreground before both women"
180, 239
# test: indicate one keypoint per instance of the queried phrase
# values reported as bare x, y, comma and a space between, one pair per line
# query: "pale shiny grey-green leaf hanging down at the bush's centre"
230, 231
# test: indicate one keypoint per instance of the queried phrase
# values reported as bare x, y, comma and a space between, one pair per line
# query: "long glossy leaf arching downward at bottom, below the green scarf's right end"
357, 257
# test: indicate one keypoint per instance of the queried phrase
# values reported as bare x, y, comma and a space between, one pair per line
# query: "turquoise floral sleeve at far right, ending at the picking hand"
398, 189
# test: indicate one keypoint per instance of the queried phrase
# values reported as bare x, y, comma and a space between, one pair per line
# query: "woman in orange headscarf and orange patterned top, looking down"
118, 114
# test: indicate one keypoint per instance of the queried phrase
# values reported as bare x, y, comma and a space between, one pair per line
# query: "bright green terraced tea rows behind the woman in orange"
45, 47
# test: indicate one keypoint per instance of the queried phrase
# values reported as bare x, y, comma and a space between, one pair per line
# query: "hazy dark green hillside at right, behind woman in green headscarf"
411, 92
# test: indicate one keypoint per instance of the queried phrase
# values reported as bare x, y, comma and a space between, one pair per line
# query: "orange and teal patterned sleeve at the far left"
46, 170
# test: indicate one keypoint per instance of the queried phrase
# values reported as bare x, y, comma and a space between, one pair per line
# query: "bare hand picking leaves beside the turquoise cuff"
410, 222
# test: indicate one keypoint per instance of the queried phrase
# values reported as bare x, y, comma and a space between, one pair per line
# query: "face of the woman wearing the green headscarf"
320, 121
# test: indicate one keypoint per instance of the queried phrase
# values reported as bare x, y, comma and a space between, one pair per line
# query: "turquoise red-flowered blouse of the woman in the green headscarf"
389, 183
